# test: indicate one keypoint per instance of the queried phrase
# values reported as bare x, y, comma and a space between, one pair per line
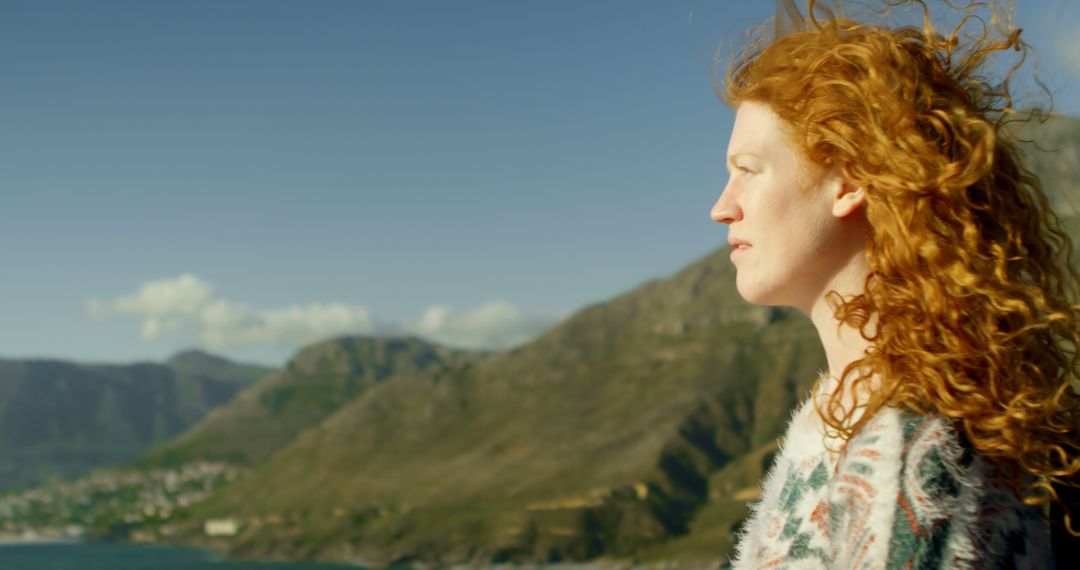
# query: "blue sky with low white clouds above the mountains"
249, 177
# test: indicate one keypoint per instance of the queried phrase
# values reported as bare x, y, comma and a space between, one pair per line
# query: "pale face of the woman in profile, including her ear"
791, 224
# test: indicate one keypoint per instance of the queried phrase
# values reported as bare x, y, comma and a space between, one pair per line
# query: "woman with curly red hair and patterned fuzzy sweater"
874, 186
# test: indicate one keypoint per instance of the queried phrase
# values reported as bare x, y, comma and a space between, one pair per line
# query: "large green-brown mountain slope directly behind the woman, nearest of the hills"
599, 439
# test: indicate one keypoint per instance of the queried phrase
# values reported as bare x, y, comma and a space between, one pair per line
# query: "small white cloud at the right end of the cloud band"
495, 325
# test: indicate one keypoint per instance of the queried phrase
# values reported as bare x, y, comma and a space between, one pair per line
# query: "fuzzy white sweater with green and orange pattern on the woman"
904, 493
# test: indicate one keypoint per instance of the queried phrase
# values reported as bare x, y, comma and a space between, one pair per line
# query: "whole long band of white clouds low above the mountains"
187, 304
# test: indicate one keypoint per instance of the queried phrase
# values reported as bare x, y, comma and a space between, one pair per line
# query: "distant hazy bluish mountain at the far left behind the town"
62, 419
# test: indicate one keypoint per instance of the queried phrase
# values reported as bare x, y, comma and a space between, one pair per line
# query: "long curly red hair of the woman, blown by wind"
969, 303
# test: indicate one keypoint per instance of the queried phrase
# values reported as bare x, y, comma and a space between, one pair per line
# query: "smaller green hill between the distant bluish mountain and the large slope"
318, 382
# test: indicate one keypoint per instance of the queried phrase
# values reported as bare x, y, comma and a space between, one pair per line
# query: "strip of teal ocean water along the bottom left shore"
120, 557
